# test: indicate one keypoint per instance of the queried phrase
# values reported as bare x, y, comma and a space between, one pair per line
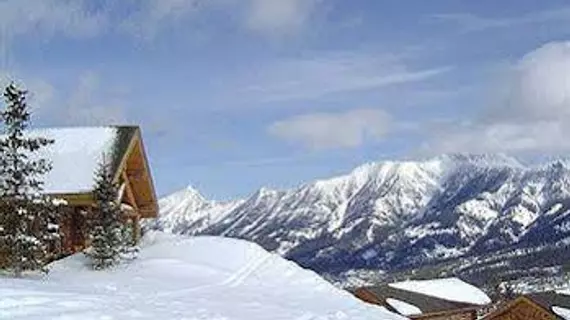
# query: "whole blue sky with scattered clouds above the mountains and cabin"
233, 95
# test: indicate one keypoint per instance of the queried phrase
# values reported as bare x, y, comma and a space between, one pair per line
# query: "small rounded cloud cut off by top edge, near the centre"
279, 17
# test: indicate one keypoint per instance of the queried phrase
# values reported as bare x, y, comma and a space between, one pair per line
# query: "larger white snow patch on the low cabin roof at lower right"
451, 289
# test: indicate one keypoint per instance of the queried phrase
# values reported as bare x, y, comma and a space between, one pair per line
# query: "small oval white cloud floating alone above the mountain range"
333, 130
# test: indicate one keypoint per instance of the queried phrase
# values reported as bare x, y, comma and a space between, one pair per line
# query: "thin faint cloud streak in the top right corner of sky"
470, 22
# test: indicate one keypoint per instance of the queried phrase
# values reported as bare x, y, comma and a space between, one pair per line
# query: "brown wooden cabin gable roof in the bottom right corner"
548, 305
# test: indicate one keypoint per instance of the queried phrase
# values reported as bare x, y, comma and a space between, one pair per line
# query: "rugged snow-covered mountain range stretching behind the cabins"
393, 216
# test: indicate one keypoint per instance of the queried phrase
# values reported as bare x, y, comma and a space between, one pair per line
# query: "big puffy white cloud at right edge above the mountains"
533, 116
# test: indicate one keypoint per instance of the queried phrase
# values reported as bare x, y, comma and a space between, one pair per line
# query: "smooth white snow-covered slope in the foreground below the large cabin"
183, 278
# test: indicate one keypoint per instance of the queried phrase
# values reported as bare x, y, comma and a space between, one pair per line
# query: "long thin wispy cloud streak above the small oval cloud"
314, 77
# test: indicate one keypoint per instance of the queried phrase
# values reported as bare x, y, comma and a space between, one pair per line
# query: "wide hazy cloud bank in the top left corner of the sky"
81, 18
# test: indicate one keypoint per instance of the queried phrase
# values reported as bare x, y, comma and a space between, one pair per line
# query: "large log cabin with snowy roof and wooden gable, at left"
75, 156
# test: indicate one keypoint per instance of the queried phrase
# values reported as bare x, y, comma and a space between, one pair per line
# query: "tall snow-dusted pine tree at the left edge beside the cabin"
28, 218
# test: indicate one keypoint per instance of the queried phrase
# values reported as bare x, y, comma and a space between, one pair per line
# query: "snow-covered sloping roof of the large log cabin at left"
77, 152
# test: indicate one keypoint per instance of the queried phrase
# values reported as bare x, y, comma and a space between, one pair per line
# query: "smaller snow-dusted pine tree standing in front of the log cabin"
107, 230
